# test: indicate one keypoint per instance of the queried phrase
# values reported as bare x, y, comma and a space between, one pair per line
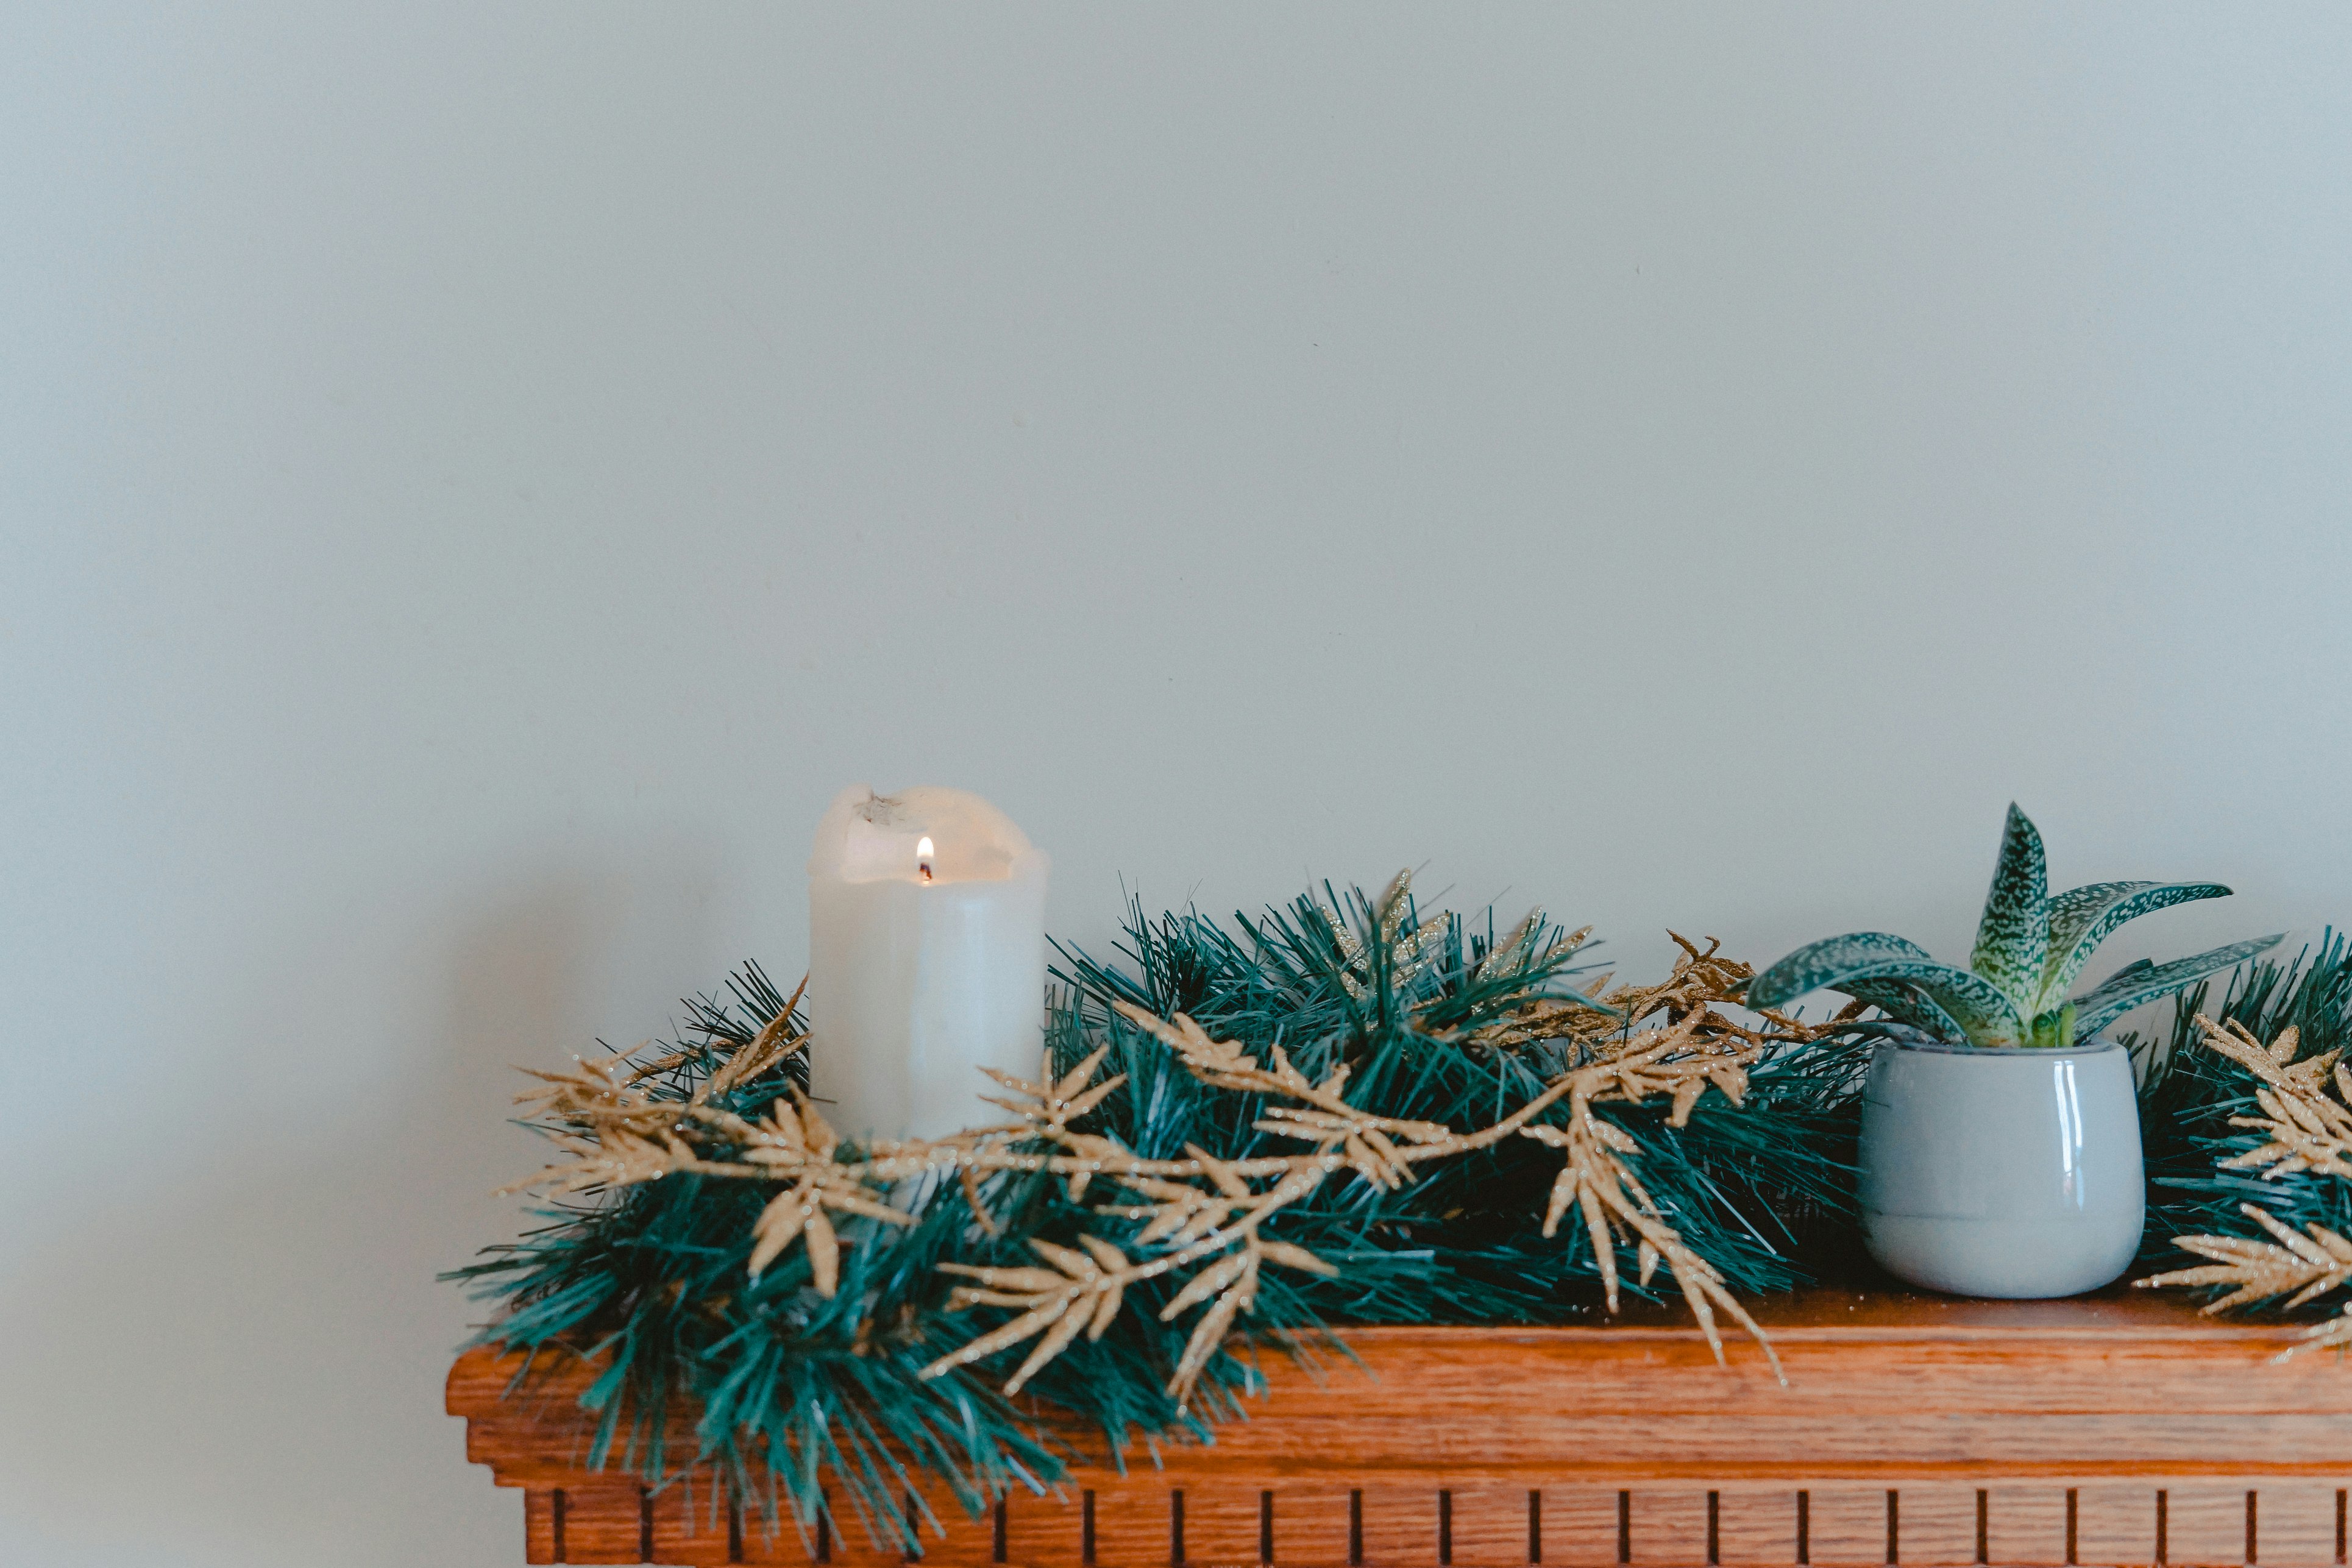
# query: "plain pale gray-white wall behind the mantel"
476, 481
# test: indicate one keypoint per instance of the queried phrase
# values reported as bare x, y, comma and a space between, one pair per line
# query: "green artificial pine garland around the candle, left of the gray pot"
801, 1388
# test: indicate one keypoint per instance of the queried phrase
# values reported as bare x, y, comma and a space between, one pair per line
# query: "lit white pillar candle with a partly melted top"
926, 960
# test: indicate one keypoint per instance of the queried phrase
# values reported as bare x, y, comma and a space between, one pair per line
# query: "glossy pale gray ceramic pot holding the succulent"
2003, 1172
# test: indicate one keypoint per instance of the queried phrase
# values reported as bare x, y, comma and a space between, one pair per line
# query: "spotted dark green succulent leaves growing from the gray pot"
2029, 953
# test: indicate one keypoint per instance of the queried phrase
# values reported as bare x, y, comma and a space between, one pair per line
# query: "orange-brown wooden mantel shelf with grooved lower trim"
2106, 1430
